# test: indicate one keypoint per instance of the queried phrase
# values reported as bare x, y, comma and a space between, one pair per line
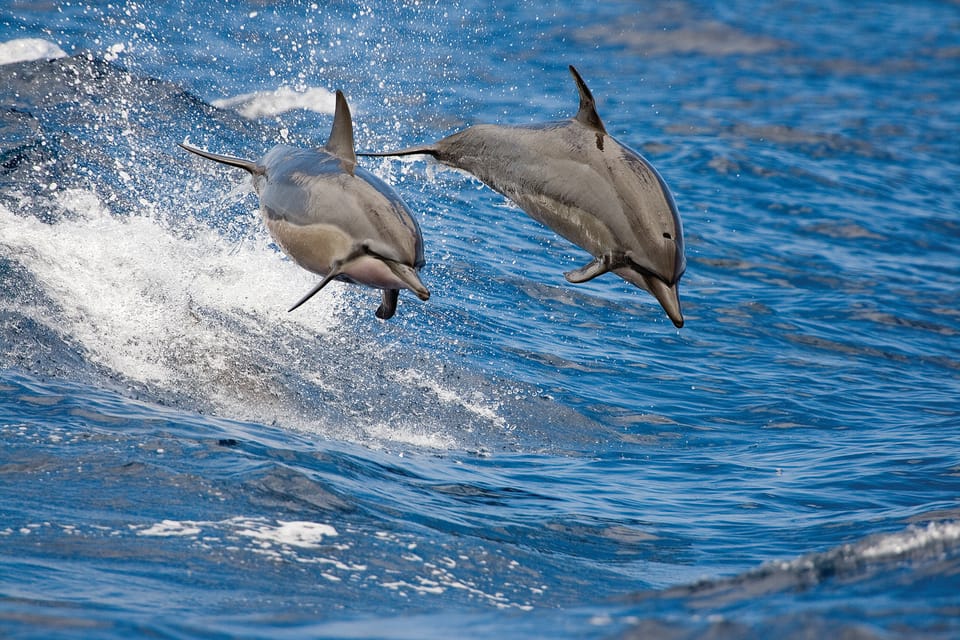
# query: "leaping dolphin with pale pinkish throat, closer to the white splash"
334, 218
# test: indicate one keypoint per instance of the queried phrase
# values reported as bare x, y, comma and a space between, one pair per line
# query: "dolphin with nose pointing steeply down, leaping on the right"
575, 178
